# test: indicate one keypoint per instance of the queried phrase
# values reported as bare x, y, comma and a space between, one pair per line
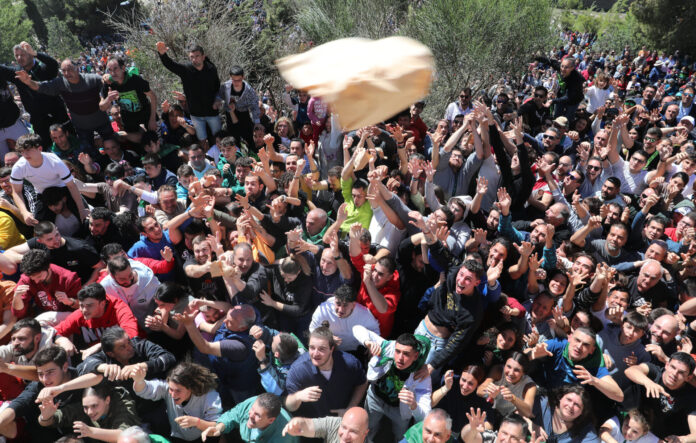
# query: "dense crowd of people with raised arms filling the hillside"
213, 268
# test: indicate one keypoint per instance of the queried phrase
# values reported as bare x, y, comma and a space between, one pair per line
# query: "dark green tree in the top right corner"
666, 24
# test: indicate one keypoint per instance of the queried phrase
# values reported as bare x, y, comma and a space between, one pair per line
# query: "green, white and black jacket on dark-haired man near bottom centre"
391, 383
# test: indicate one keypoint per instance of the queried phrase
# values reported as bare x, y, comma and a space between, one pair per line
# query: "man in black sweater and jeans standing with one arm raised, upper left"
201, 84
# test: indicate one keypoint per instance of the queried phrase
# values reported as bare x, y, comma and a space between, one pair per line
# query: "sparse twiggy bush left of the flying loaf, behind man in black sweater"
226, 34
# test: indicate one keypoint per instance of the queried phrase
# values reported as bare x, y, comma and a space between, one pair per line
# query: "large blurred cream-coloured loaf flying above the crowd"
365, 81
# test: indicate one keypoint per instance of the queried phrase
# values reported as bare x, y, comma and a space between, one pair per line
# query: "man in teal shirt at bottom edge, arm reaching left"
260, 419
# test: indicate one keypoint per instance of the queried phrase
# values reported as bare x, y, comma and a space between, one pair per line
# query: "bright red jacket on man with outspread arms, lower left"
116, 313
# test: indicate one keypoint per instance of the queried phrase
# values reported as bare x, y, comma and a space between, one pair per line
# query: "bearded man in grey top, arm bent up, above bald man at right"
611, 250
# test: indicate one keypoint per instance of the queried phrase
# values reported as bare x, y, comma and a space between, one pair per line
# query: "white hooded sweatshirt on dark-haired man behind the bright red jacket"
139, 297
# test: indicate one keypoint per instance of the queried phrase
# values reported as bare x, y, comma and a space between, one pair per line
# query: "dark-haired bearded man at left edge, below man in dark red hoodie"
17, 357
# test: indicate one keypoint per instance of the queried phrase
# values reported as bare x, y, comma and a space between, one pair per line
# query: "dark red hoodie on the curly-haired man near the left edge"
42, 296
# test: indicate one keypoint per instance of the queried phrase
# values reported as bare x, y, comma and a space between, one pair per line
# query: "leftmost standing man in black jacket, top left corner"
44, 109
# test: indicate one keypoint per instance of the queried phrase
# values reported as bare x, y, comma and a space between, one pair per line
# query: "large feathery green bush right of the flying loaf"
484, 41
